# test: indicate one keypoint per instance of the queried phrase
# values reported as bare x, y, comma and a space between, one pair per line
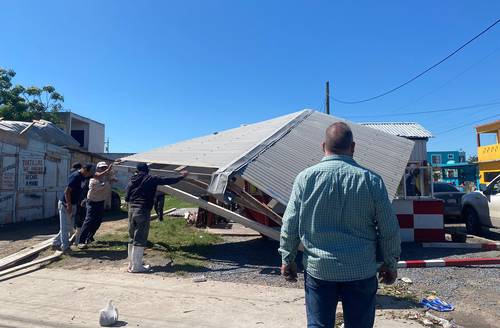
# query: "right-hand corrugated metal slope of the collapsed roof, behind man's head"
275, 169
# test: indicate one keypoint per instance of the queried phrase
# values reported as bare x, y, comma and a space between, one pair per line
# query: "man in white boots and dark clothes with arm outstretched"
140, 198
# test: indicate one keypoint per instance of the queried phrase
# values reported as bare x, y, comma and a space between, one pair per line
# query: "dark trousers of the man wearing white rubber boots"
138, 225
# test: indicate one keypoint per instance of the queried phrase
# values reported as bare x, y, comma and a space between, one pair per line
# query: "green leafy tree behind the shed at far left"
21, 103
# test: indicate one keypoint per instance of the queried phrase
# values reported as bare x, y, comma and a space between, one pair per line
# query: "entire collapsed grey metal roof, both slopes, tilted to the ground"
270, 154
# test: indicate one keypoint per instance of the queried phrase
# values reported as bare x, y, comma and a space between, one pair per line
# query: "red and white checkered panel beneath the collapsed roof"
420, 220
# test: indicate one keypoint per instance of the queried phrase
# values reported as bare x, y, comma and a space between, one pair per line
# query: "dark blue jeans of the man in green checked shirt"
358, 302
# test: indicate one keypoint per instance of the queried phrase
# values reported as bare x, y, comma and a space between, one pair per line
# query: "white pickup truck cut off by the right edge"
482, 208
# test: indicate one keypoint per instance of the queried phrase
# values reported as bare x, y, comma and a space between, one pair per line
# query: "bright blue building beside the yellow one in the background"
451, 167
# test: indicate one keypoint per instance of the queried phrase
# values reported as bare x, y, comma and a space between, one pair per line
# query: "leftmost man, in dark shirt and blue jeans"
67, 205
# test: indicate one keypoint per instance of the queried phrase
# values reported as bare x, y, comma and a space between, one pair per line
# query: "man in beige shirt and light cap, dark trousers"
99, 189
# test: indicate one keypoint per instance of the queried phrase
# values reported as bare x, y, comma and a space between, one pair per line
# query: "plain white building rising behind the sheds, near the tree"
89, 133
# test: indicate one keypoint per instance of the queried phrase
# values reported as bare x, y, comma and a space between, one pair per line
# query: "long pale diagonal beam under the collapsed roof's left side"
216, 209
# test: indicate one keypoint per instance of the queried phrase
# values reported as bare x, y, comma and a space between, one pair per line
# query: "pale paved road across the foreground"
72, 298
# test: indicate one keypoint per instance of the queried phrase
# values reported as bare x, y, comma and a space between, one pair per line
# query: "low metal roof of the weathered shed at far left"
40, 130
